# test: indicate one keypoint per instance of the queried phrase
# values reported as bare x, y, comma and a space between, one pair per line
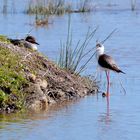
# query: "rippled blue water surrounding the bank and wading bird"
86, 118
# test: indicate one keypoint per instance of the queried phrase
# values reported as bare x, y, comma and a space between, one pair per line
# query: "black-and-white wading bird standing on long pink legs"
106, 63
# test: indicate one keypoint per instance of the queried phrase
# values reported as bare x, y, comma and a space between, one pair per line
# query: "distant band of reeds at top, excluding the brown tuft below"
56, 7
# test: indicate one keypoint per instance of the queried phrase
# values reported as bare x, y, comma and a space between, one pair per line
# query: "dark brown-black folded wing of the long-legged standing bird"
107, 62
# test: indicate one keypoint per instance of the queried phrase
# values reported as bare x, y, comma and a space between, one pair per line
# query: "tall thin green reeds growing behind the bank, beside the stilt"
71, 57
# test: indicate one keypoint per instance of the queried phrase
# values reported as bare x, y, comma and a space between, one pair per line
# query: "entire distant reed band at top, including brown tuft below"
44, 8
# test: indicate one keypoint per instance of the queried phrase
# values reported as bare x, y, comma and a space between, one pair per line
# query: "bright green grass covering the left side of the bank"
12, 80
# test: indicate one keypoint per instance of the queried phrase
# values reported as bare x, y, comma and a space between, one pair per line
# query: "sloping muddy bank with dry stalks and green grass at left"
41, 82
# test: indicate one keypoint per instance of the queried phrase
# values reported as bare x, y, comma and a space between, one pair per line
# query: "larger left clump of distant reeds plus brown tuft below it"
44, 8
